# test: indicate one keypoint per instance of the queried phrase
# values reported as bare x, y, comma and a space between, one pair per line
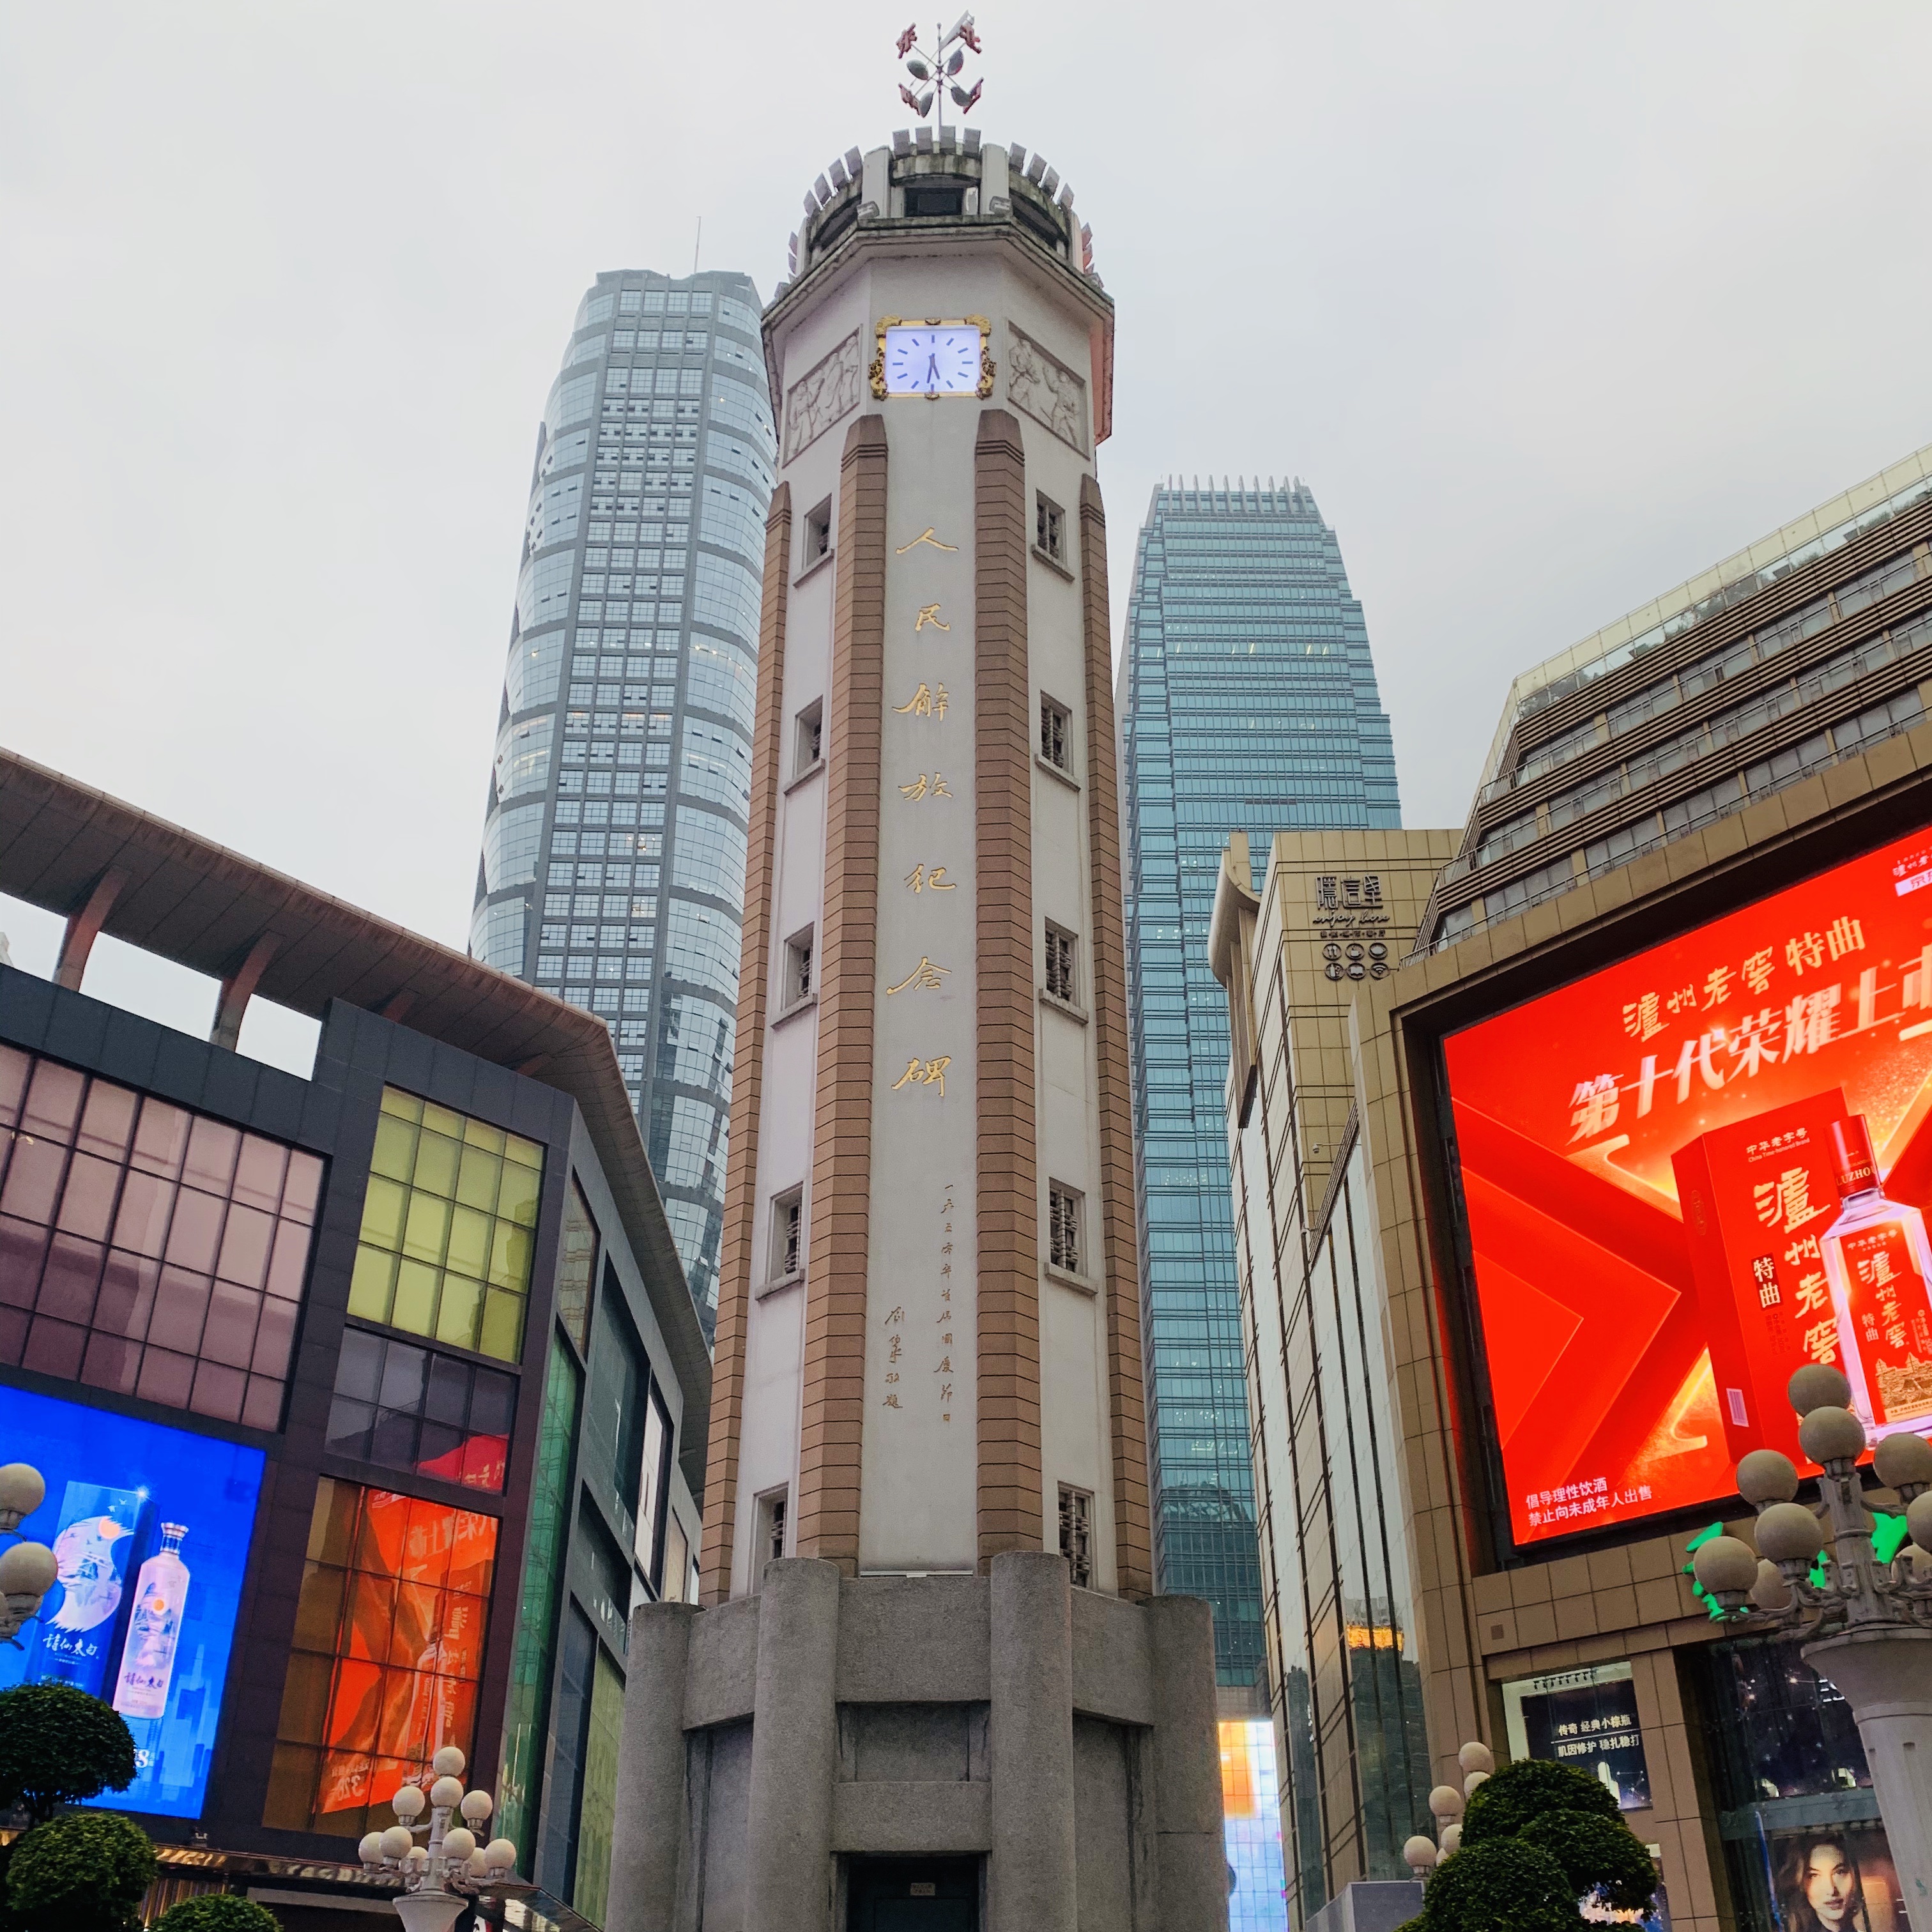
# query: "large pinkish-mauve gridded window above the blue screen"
146, 1249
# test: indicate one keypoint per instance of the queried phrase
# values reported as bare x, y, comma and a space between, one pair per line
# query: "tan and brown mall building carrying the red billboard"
1535, 1193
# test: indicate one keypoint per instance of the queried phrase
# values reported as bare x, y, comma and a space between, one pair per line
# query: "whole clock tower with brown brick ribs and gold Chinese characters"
928, 1666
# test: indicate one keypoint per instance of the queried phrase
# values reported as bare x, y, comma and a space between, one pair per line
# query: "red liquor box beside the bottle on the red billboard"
1757, 1199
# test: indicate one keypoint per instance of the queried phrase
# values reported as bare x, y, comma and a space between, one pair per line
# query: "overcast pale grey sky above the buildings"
1552, 304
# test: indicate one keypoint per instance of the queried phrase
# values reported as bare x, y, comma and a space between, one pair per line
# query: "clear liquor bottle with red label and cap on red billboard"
1881, 1268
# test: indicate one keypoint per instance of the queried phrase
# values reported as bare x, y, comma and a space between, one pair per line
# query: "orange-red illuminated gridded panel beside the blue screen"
387, 1657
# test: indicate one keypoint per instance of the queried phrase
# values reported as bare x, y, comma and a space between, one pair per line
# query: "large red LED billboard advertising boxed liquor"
1693, 1172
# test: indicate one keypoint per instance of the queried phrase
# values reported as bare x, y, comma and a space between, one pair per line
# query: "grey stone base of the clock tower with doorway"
1037, 1757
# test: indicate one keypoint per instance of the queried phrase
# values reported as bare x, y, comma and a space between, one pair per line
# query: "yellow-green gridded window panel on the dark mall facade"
449, 1228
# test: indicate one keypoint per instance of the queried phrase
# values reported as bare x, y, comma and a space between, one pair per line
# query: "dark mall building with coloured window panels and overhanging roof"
395, 1359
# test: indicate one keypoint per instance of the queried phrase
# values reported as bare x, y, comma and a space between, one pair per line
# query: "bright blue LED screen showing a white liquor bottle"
152, 1531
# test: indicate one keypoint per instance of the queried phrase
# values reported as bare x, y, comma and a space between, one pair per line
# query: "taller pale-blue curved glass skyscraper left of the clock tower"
613, 847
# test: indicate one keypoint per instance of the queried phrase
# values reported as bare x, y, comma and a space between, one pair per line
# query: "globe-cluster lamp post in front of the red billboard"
1869, 1624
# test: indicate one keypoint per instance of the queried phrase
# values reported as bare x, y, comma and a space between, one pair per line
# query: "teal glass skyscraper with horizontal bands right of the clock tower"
1247, 702
